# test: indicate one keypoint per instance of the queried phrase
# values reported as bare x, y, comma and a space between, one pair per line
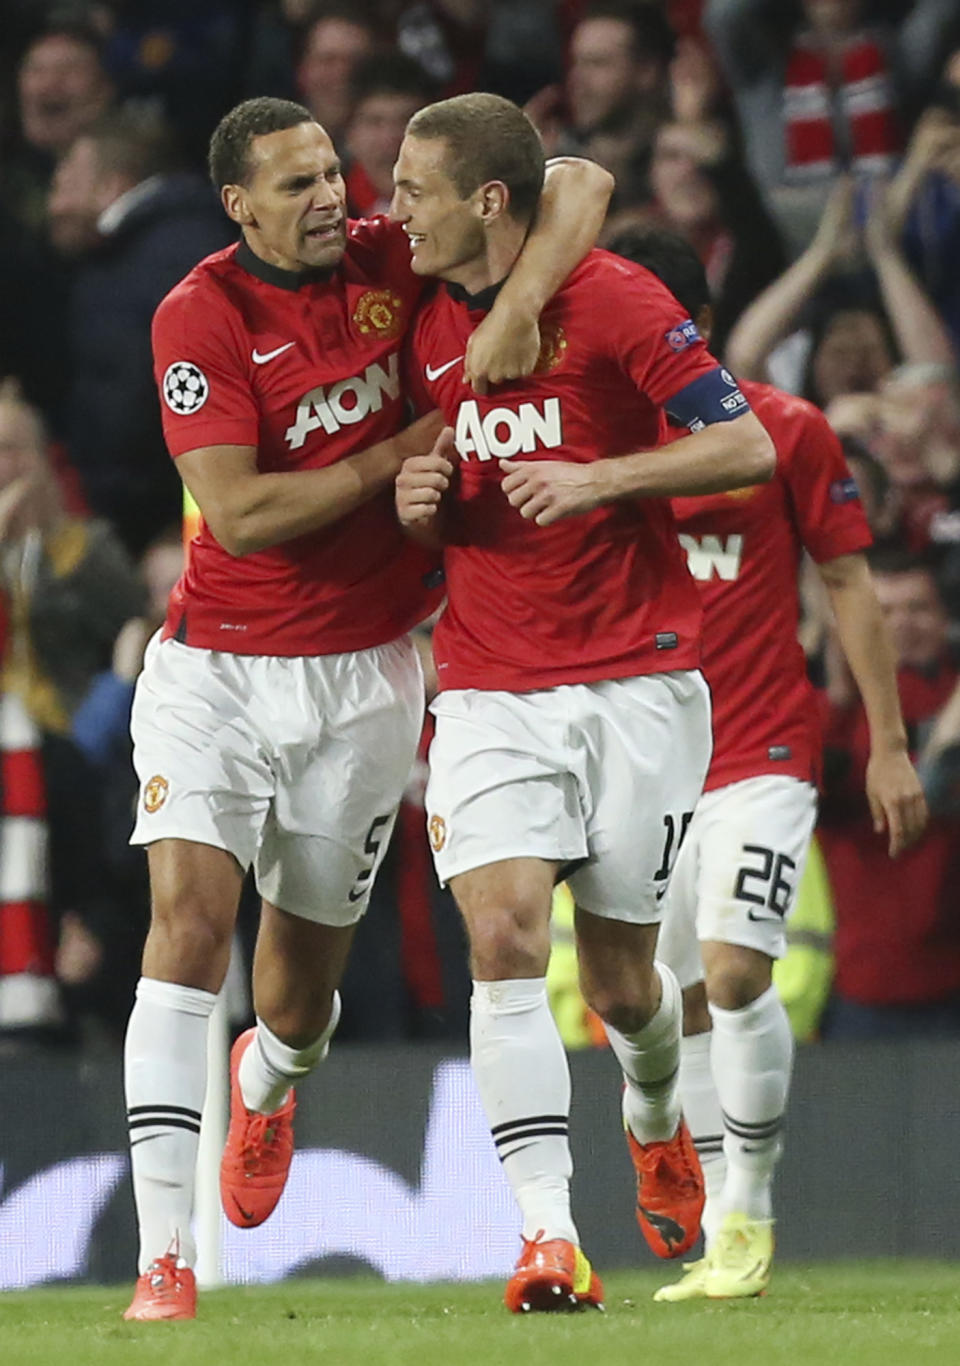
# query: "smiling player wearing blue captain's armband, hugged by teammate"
573, 722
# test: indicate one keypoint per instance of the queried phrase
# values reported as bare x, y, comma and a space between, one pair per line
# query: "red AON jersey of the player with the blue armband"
599, 596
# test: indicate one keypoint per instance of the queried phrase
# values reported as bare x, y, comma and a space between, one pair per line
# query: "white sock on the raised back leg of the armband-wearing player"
651, 1061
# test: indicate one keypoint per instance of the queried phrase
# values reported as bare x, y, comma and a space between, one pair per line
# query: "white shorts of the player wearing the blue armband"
597, 775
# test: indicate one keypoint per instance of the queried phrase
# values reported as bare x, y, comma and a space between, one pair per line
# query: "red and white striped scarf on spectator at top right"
858, 100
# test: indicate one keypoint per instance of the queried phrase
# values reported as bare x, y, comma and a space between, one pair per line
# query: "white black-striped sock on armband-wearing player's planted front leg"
524, 1081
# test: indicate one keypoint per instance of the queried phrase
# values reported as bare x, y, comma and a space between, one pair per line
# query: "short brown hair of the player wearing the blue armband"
488, 139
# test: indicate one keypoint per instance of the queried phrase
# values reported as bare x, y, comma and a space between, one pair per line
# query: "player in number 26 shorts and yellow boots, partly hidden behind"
746, 846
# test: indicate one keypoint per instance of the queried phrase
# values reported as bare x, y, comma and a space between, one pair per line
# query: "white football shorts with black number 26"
738, 871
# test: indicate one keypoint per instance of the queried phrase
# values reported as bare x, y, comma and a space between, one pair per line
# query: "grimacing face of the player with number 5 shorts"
293, 203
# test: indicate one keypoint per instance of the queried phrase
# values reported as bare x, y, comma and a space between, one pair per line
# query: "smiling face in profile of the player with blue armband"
446, 233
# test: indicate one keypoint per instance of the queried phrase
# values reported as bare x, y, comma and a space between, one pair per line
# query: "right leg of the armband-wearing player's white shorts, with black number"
648, 759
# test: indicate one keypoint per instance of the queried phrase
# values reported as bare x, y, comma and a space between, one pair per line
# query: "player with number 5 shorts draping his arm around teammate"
279, 711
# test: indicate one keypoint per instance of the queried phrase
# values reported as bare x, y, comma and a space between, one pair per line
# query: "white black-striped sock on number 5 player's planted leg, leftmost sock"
165, 1066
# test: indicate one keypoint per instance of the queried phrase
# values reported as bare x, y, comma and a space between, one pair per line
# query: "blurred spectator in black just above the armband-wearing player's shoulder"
703, 191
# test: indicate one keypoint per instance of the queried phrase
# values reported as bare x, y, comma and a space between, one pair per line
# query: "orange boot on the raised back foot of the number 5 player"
257, 1154
